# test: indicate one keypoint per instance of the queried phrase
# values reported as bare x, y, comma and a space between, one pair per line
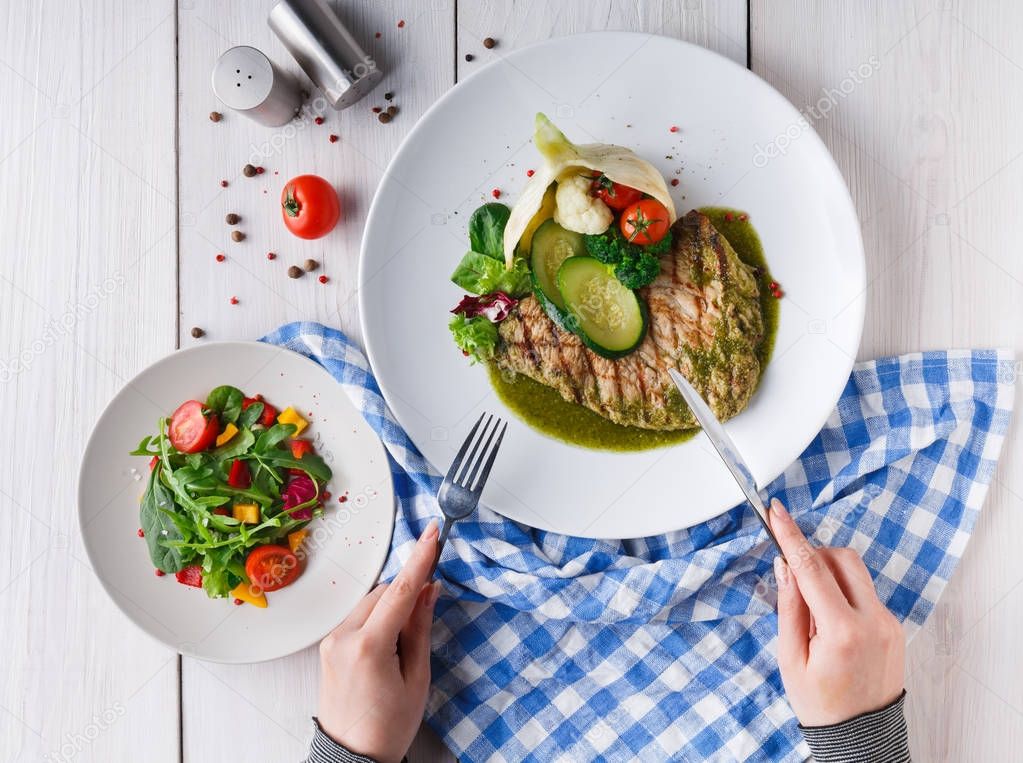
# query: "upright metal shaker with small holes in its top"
248, 82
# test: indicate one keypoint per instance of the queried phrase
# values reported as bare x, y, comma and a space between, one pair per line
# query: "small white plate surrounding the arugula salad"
349, 545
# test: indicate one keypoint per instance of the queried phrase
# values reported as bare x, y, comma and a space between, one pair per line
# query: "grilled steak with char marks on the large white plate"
705, 321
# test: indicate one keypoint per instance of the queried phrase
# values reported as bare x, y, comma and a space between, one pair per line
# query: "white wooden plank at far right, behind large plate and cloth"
927, 144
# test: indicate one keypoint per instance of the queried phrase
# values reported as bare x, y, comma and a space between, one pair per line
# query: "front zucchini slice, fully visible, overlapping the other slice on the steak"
609, 319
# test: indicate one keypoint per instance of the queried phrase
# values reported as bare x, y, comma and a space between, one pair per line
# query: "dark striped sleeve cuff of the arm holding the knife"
881, 737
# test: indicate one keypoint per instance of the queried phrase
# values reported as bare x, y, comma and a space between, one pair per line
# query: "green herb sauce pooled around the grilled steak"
545, 410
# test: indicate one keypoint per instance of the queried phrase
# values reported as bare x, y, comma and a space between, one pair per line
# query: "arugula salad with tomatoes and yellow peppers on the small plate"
232, 490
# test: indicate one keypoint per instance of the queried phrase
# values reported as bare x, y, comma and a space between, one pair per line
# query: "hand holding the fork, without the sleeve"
375, 667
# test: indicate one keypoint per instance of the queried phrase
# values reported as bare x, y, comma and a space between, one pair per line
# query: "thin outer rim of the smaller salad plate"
91, 445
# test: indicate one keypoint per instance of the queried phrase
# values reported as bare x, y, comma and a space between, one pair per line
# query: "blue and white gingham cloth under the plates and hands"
551, 648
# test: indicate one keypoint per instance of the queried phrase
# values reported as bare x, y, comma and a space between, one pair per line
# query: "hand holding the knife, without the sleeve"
840, 651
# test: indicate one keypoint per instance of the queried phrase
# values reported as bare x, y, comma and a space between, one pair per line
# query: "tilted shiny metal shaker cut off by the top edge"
326, 50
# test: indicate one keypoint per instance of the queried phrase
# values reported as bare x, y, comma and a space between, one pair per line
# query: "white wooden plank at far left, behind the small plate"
87, 194
